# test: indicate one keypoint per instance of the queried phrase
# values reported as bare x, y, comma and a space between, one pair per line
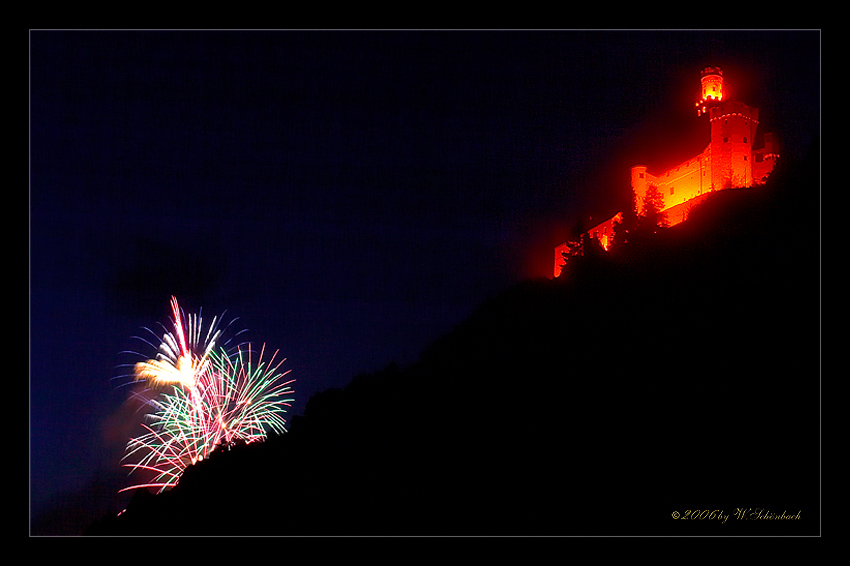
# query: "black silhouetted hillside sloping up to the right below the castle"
678, 372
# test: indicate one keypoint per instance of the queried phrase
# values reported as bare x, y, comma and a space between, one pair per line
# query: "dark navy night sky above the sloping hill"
348, 195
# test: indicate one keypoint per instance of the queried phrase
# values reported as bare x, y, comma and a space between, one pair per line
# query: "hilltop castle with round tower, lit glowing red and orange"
729, 160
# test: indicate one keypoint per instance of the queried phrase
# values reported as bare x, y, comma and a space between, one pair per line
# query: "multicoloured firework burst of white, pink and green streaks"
209, 398
